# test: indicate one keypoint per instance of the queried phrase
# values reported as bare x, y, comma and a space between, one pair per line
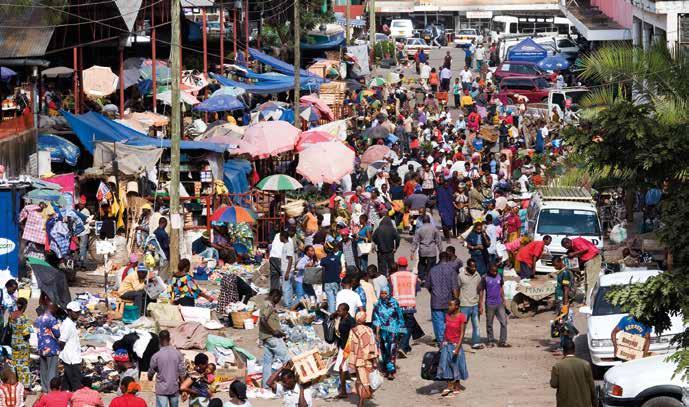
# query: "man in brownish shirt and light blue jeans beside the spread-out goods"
270, 334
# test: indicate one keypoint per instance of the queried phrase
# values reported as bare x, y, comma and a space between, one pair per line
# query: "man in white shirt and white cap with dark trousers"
70, 353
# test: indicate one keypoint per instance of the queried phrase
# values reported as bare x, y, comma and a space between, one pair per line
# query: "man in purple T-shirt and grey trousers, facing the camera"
492, 289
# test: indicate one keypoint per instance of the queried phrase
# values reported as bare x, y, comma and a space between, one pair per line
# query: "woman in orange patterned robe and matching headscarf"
363, 356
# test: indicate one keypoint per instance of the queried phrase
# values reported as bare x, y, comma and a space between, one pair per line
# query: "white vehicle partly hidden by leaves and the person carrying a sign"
602, 317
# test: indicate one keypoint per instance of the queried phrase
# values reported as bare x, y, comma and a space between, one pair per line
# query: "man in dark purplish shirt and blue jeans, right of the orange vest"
443, 284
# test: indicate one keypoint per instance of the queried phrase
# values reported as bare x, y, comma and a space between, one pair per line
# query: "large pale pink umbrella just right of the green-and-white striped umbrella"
326, 162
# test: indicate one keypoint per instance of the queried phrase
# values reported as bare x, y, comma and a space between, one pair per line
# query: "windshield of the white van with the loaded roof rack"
568, 222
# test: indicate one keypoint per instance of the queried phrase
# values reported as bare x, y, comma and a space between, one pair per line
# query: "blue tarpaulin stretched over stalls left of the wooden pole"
92, 126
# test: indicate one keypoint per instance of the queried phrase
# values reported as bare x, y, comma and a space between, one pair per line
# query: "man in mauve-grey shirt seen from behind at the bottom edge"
168, 368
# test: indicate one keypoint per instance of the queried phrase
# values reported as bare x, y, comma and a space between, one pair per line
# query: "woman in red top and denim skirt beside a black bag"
452, 366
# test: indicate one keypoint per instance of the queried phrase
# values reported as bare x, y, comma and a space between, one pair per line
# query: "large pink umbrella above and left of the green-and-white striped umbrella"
264, 139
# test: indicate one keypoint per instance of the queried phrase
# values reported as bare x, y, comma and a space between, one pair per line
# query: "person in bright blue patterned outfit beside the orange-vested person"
388, 321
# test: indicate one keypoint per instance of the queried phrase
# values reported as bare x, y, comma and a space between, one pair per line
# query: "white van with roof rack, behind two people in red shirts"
562, 212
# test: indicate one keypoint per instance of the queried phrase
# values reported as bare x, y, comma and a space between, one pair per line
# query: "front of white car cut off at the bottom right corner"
647, 382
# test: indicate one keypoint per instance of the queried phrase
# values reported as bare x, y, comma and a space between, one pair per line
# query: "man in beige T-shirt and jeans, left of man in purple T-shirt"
471, 300
